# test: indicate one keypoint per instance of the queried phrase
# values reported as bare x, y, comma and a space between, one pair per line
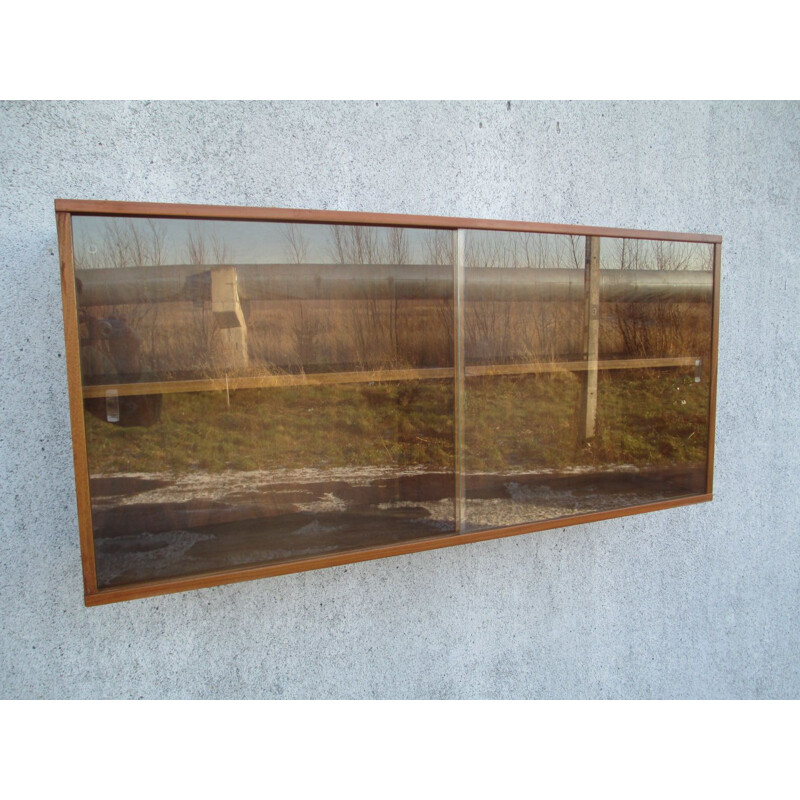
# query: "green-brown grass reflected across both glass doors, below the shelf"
530, 422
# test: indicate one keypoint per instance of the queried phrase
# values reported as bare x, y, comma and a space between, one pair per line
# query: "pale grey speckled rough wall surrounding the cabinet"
693, 602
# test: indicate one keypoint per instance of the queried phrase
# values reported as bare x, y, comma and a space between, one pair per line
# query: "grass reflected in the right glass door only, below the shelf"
644, 417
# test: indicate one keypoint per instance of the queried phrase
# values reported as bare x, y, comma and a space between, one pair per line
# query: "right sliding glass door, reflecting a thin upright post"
587, 374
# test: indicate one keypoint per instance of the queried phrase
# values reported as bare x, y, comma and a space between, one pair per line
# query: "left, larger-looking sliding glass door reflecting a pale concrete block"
259, 392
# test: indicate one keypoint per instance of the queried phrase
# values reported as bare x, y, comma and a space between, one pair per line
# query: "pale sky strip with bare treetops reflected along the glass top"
102, 242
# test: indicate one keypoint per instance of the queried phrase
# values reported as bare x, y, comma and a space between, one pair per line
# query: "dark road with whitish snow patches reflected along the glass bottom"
149, 526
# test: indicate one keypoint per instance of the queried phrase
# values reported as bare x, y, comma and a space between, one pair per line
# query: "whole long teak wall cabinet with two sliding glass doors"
262, 391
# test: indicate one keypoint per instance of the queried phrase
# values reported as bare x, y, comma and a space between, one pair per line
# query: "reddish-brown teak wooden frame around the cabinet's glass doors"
66, 209
